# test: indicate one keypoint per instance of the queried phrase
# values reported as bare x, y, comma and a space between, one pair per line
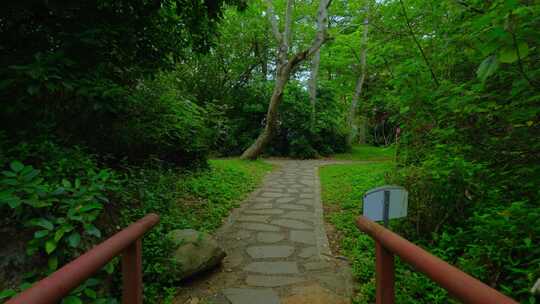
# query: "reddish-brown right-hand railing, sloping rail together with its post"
459, 284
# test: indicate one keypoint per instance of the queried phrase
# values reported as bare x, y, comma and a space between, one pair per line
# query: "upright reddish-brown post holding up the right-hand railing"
385, 274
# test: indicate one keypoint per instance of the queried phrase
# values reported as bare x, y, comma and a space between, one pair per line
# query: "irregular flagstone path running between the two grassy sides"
277, 250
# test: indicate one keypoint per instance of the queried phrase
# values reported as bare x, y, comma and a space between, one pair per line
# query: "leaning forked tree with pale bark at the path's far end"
285, 66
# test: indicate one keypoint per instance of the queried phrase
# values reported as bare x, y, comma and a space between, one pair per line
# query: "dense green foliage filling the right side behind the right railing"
467, 103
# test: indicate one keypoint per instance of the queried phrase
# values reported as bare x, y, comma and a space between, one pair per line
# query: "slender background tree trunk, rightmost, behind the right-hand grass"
359, 82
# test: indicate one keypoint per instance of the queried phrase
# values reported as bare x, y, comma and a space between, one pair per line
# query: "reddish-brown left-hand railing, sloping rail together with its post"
126, 242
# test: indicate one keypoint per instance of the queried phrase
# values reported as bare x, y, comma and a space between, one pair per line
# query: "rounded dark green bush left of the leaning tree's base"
163, 121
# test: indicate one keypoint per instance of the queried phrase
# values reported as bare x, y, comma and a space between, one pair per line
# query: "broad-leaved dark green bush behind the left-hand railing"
55, 211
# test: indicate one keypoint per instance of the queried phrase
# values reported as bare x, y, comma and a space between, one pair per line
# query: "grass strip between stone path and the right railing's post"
342, 189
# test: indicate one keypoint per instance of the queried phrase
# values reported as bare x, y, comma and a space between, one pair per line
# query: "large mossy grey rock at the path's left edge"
195, 252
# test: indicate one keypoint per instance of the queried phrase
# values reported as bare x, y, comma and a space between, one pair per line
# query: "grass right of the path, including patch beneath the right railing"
343, 187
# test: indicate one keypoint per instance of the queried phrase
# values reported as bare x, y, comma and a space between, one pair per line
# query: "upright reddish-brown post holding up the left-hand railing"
132, 273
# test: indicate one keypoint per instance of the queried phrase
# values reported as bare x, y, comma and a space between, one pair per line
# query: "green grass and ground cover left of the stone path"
198, 200
